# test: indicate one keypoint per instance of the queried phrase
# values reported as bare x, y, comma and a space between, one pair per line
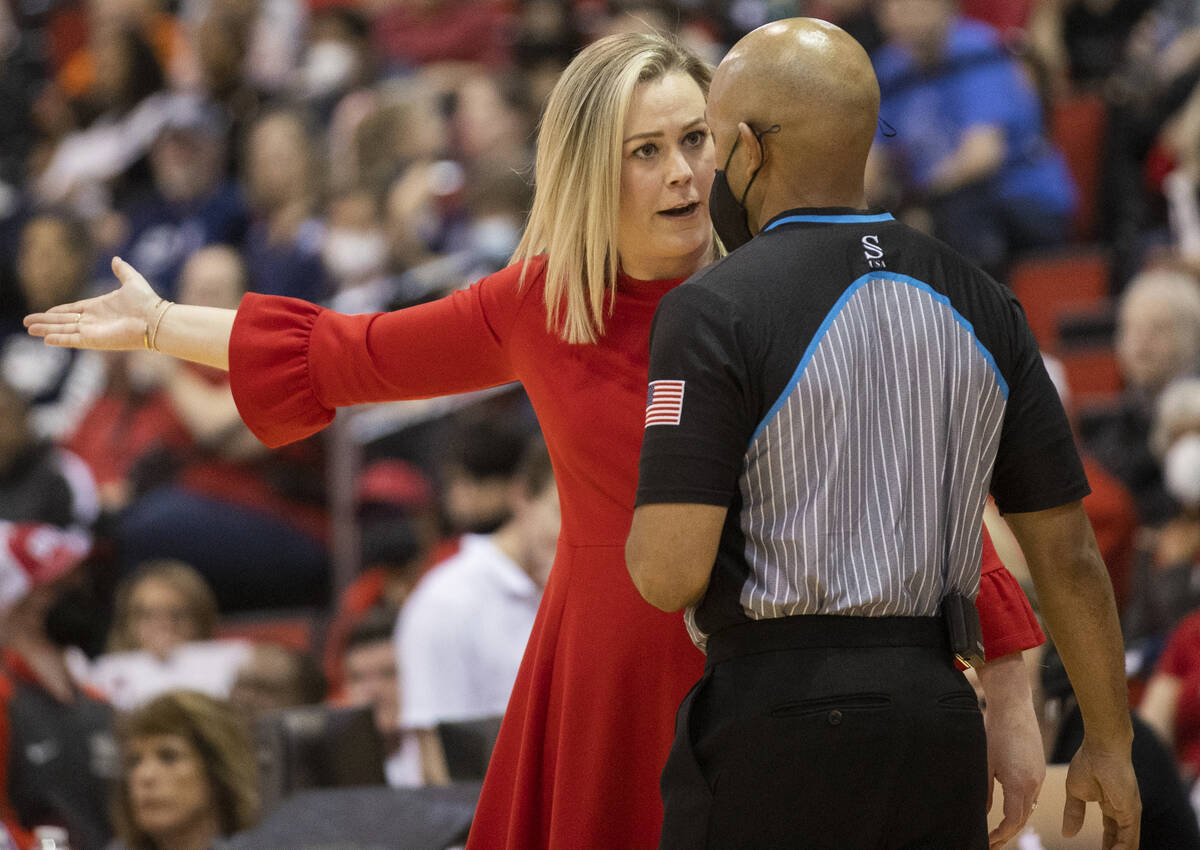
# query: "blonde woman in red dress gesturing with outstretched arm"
620, 218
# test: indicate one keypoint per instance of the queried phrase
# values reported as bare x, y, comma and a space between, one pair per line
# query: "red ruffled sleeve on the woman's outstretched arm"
293, 363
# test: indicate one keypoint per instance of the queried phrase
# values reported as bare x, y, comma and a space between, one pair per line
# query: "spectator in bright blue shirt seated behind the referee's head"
970, 148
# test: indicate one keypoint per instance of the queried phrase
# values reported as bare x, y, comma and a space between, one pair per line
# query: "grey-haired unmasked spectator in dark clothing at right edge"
1159, 340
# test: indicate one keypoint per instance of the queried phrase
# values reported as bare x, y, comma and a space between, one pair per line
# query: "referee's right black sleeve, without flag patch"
1037, 464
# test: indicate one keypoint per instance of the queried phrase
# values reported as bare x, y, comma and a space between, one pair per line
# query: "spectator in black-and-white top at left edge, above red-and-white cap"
40, 483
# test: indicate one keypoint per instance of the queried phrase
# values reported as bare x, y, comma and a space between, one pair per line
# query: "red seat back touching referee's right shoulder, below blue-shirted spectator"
1054, 284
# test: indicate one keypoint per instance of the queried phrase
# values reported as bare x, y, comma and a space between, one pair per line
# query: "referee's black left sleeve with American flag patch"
695, 351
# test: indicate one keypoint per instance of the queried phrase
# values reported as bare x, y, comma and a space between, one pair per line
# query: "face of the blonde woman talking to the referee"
667, 171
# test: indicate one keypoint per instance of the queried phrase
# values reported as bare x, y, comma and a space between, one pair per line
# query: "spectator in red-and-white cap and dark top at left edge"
55, 735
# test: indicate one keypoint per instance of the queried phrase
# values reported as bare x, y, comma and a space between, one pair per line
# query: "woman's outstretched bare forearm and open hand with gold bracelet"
135, 318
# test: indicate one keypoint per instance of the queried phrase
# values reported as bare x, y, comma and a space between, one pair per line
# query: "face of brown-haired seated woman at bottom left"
169, 787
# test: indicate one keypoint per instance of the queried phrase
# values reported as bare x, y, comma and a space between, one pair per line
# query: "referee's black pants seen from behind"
839, 733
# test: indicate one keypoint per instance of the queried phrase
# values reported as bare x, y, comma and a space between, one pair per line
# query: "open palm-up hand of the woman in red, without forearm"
117, 321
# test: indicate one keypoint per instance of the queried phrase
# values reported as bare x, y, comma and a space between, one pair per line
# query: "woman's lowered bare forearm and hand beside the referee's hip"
1016, 756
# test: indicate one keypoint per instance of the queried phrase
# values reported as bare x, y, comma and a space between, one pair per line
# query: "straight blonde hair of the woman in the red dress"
578, 175
